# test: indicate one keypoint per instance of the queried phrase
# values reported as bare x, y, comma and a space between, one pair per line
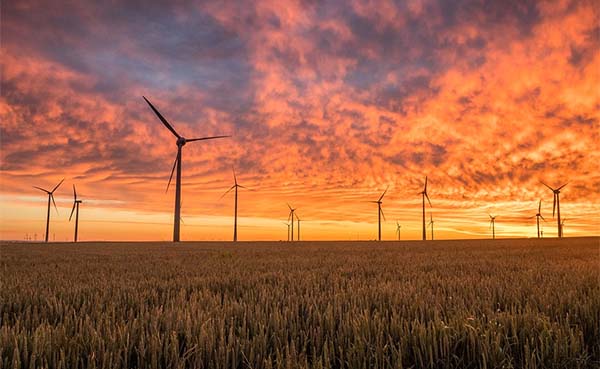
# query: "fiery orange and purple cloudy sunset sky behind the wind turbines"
327, 103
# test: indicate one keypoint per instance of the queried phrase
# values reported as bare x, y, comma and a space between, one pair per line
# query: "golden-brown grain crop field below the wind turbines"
442, 304
